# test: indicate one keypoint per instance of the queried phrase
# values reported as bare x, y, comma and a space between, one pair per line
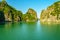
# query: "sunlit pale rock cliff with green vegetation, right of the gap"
51, 14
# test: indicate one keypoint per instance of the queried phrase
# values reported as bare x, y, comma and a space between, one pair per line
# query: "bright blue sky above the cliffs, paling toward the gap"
37, 5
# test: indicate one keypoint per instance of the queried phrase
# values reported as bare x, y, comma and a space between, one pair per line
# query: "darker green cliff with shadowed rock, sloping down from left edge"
8, 13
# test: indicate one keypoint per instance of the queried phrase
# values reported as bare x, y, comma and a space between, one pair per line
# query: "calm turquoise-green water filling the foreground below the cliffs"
29, 31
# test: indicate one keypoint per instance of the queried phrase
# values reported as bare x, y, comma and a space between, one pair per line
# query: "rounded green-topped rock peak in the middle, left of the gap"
30, 16
